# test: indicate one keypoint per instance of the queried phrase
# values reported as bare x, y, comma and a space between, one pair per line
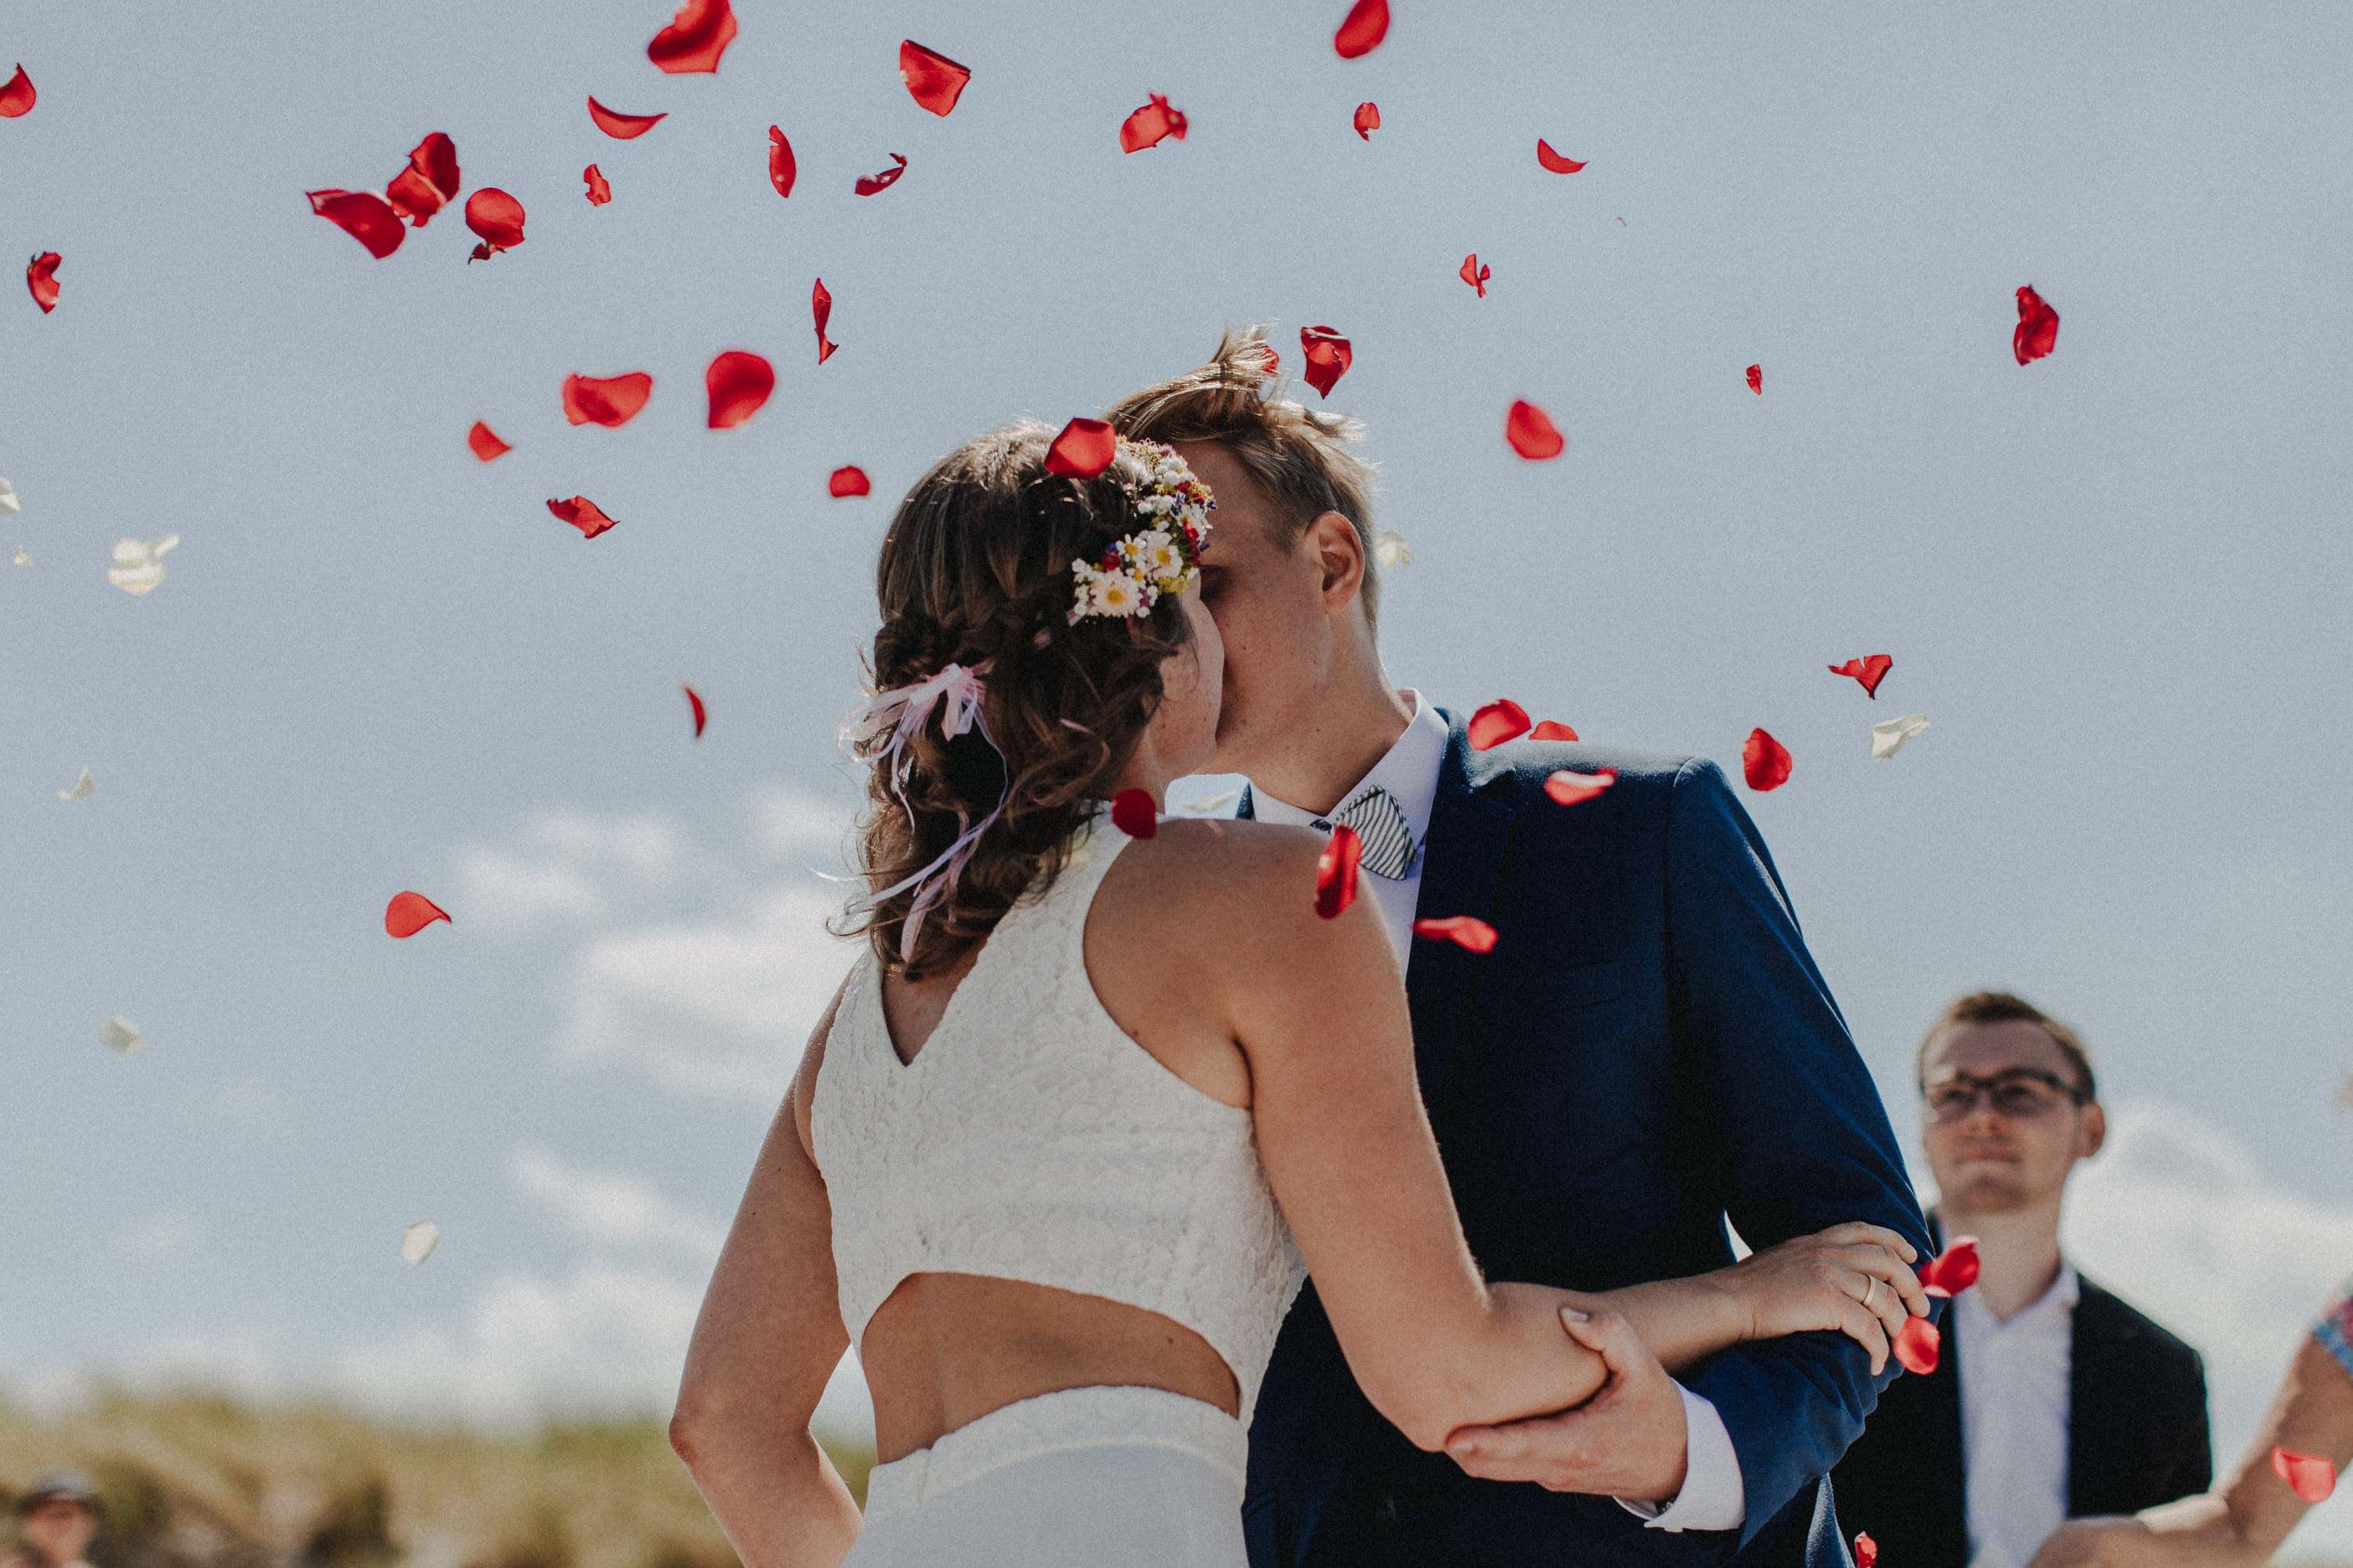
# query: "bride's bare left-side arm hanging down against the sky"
766, 1343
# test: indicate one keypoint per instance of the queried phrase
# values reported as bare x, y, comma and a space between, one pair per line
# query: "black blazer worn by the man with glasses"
2138, 1438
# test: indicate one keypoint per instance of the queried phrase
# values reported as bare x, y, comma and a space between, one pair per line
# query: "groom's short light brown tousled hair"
1298, 455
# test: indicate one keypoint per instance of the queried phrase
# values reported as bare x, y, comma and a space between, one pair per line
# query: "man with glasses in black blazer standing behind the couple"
2053, 1398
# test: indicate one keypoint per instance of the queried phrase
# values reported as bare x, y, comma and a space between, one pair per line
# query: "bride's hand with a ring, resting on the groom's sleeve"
1851, 1278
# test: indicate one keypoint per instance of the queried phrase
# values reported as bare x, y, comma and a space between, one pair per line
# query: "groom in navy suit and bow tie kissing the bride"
1644, 1054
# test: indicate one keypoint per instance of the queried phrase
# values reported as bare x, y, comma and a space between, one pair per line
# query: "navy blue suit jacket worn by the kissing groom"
1646, 1052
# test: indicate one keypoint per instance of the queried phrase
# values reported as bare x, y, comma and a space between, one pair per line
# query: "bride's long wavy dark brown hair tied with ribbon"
978, 572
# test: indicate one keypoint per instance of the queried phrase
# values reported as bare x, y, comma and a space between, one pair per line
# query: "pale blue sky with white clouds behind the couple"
2112, 579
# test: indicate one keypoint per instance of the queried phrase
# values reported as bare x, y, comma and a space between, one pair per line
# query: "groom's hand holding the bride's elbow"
1625, 1442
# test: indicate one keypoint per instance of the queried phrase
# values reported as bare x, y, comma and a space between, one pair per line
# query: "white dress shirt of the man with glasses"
2015, 1421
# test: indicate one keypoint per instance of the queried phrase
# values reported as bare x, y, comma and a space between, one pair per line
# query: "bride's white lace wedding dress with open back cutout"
1032, 1139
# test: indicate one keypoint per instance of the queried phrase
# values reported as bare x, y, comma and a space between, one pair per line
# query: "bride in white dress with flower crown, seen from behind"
1102, 1090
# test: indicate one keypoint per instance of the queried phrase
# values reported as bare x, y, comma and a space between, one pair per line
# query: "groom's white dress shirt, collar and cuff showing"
1714, 1496
